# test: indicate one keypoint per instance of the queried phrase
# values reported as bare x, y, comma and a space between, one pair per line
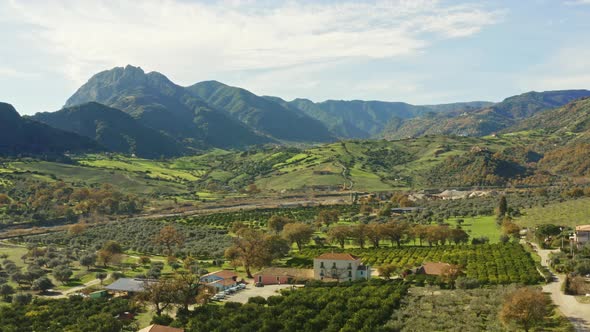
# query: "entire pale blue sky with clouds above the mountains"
416, 51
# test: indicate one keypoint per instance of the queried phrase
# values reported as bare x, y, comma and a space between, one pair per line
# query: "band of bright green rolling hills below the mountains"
360, 165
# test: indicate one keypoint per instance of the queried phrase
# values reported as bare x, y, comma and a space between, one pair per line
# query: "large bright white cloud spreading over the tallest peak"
197, 40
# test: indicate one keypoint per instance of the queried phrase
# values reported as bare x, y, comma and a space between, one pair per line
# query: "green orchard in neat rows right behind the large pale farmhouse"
489, 263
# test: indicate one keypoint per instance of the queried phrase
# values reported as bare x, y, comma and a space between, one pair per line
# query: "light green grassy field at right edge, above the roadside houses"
568, 213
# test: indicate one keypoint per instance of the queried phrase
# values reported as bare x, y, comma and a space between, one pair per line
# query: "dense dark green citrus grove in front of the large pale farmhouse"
364, 306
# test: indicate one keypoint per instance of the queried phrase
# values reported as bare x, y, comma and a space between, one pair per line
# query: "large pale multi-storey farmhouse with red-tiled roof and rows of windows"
339, 267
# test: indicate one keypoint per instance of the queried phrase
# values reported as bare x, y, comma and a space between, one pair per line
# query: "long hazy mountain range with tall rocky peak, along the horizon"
129, 111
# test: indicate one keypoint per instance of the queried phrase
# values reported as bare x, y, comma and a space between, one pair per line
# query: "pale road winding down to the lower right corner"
578, 313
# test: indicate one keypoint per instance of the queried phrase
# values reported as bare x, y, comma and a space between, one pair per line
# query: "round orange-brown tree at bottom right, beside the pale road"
526, 308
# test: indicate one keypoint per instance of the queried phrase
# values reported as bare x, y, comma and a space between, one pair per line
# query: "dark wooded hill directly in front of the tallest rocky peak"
114, 129
